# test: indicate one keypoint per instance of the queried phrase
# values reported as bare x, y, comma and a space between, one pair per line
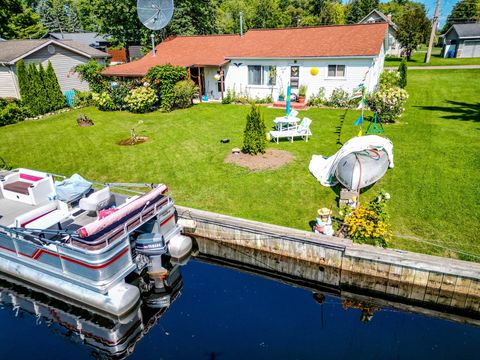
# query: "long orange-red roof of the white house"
215, 50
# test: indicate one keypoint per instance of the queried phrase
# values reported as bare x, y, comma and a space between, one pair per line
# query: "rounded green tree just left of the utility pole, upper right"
413, 27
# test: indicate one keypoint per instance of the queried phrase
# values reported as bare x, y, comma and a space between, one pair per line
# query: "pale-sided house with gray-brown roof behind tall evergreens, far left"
63, 54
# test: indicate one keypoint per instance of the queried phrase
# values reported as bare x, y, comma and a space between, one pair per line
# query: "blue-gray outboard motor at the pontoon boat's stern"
152, 245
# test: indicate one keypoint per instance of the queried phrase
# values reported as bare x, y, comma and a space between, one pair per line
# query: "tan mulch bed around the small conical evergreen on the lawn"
272, 159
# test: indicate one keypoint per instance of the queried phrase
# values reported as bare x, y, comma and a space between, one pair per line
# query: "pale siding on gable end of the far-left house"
63, 62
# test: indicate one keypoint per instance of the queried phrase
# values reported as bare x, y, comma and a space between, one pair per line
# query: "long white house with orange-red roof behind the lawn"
263, 62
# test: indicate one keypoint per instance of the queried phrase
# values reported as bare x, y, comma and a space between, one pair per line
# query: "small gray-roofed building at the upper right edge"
462, 41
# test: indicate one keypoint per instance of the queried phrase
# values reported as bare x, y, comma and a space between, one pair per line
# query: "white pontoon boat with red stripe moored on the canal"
81, 243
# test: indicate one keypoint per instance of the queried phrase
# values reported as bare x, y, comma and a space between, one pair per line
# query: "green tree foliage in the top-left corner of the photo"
18, 21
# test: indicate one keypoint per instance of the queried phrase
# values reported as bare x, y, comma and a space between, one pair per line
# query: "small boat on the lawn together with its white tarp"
359, 163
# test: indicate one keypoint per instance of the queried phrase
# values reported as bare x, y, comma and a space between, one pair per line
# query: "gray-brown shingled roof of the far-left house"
14, 50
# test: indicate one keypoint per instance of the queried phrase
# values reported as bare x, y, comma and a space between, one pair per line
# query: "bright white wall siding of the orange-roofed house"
355, 70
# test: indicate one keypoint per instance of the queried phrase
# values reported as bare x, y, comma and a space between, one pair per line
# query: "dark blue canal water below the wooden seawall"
221, 313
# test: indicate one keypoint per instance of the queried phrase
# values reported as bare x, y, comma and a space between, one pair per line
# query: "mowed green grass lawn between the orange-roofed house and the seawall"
434, 185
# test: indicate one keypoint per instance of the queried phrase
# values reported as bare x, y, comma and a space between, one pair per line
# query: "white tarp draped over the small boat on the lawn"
323, 168
